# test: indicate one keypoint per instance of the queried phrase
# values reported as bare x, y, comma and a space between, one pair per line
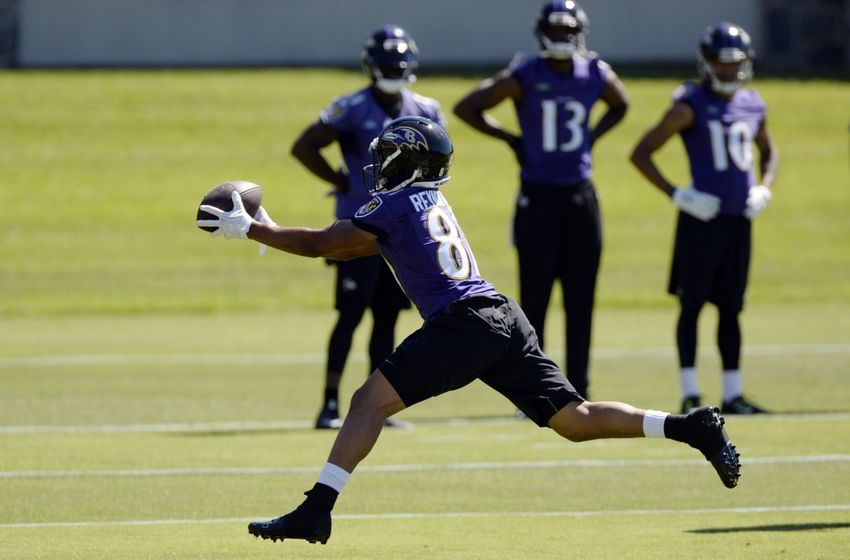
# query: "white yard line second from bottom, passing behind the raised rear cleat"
418, 467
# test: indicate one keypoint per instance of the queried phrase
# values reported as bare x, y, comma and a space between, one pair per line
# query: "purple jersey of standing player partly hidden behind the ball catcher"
358, 118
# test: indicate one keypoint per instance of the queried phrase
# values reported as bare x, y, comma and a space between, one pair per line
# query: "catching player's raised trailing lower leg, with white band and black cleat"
702, 429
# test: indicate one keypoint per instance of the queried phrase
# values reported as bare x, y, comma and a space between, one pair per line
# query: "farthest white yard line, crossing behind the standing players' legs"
295, 359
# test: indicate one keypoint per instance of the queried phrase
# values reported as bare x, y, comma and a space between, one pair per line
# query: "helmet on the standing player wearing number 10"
725, 43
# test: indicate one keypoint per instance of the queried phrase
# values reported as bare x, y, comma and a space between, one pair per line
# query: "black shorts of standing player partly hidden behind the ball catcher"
367, 282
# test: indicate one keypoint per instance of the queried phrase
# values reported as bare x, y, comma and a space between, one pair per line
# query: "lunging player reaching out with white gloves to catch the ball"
470, 330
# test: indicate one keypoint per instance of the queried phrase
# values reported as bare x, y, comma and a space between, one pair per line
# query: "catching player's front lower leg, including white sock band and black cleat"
371, 405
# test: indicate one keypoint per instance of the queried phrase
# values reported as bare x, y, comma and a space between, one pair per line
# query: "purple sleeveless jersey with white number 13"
553, 116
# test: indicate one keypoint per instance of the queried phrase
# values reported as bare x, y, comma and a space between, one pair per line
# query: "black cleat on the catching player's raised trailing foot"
708, 435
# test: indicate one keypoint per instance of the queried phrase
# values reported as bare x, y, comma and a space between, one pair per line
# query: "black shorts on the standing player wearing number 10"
711, 261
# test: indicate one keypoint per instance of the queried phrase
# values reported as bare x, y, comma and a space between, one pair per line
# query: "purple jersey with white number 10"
720, 142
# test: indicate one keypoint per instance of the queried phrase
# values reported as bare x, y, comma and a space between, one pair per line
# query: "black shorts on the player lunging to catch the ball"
486, 338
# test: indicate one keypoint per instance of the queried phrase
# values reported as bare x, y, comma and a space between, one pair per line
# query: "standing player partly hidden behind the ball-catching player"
390, 59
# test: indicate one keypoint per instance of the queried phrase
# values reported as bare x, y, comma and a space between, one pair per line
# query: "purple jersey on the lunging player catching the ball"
421, 240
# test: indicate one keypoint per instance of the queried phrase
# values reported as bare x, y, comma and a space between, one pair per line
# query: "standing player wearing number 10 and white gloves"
719, 121
